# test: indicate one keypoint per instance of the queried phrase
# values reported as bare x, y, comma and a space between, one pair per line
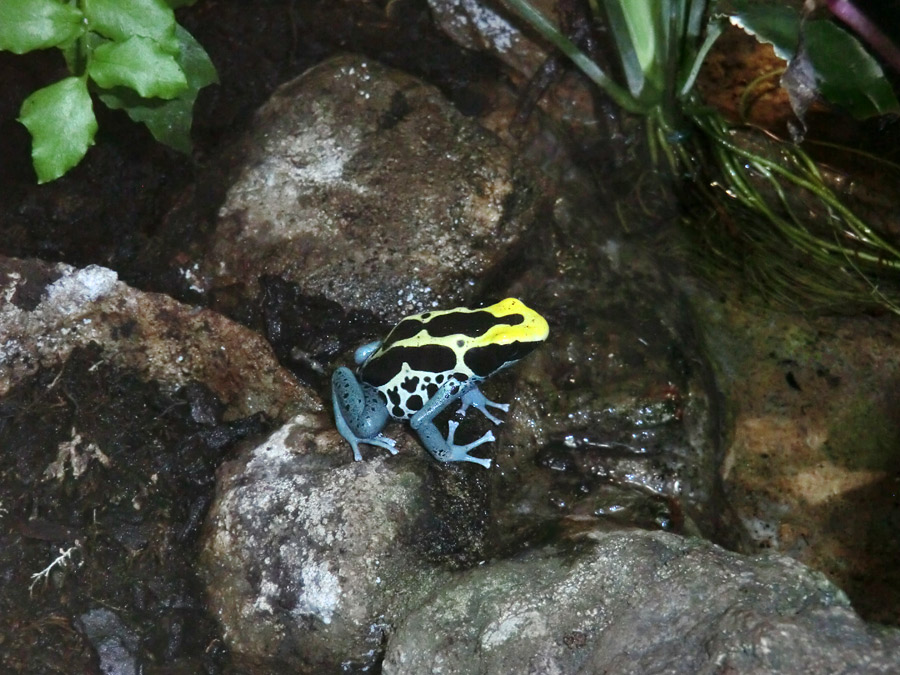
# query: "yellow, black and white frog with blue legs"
424, 364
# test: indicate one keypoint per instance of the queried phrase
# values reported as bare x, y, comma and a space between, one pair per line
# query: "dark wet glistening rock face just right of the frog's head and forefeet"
622, 418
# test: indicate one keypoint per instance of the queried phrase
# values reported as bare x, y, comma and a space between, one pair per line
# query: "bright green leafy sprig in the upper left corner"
132, 53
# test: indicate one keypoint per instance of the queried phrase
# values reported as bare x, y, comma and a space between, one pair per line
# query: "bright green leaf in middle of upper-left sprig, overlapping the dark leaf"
139, 63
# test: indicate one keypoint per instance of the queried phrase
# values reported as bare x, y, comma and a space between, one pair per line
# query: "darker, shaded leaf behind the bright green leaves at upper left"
170, 121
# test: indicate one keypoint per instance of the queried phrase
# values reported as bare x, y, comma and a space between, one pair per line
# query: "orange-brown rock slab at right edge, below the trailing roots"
812, 467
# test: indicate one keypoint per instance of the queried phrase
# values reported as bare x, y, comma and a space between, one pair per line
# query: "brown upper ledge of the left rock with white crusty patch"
50, 309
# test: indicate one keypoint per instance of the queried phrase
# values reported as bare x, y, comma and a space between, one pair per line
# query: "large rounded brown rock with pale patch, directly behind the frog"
363, 185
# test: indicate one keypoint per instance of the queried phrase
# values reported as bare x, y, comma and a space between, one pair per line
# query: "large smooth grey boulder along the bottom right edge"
639, 602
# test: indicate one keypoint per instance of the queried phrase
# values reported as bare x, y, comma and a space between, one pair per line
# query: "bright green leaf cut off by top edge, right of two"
122, 19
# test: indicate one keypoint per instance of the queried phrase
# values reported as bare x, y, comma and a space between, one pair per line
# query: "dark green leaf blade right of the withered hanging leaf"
846, 74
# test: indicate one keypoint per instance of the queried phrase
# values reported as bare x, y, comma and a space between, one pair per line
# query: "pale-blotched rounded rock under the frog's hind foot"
309, 557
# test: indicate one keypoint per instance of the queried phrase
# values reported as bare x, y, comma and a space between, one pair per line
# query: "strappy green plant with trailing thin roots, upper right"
789, 229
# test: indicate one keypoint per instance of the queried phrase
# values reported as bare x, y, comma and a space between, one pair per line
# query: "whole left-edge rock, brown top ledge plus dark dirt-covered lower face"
109, 445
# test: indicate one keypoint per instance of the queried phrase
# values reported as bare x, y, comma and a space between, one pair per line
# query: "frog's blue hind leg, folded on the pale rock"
359, 413
